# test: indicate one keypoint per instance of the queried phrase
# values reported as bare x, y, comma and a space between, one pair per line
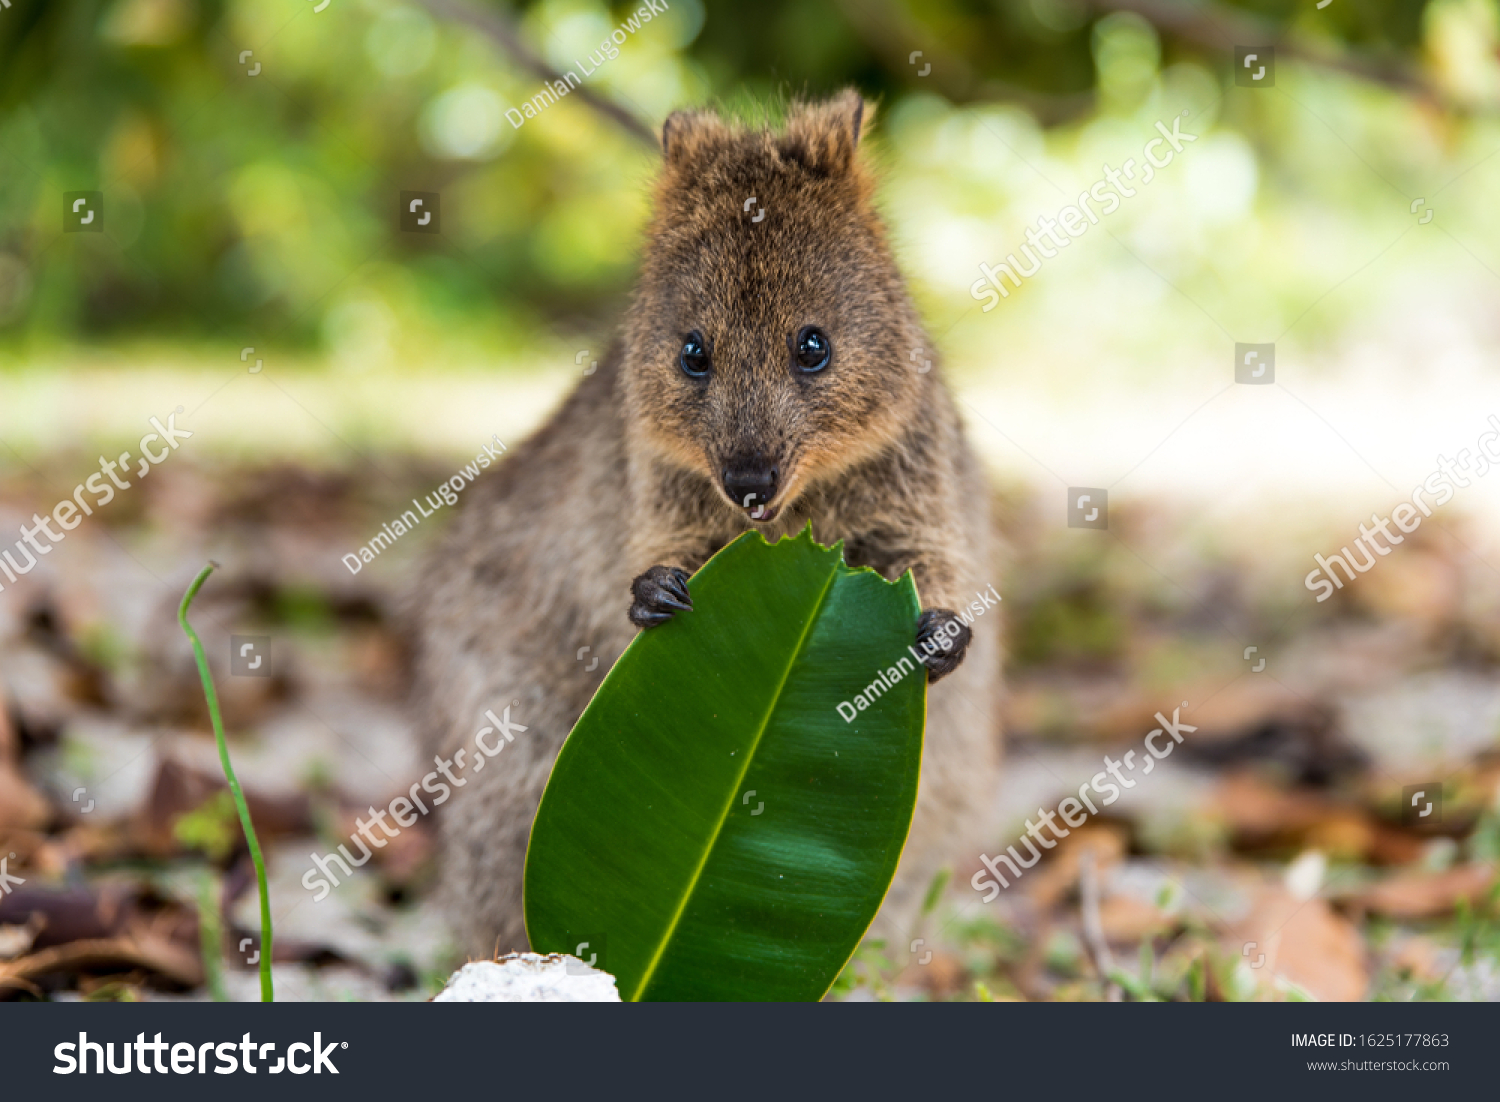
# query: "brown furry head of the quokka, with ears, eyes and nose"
772, 341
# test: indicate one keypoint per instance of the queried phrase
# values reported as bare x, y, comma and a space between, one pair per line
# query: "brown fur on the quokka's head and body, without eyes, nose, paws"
626, 476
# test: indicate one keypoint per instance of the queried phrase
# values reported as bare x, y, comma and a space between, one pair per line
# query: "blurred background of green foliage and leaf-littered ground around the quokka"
247, 269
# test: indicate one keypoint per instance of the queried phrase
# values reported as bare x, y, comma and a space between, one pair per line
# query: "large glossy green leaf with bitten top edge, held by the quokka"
713, 828
